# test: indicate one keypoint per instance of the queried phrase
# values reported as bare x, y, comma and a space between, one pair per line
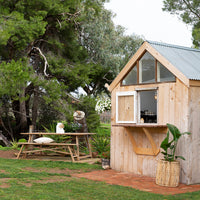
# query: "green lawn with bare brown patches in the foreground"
30, 179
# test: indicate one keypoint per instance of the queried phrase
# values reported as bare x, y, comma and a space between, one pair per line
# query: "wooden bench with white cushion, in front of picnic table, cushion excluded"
53, 147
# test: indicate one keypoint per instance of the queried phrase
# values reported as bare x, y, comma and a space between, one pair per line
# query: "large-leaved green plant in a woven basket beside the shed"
168, 169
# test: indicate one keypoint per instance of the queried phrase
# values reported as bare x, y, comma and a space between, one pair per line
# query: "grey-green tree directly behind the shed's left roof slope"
108, 48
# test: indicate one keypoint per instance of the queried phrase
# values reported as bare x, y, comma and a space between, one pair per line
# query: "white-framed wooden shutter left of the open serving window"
126, 107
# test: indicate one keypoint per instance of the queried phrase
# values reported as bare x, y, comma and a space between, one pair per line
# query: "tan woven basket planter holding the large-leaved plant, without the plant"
168, 173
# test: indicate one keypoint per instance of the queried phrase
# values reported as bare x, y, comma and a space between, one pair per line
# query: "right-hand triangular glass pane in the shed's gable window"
163, 74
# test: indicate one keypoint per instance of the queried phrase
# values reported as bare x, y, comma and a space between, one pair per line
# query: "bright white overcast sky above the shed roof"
146, 18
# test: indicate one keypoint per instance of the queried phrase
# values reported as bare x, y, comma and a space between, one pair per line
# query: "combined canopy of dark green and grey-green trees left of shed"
48, 49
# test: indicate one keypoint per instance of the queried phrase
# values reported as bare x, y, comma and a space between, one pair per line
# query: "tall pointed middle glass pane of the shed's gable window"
147, 69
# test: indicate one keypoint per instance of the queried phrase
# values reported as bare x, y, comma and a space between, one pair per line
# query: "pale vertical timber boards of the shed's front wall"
172, 108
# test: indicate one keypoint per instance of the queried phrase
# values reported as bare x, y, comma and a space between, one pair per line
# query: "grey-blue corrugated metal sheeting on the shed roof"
186, 60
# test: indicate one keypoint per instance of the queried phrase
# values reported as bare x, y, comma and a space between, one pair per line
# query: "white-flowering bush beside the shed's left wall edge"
103, 103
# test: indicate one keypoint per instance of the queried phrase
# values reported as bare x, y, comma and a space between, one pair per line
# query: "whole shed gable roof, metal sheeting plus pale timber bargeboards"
183, 62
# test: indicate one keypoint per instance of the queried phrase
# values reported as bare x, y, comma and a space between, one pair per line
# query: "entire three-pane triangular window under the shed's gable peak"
148, 70
